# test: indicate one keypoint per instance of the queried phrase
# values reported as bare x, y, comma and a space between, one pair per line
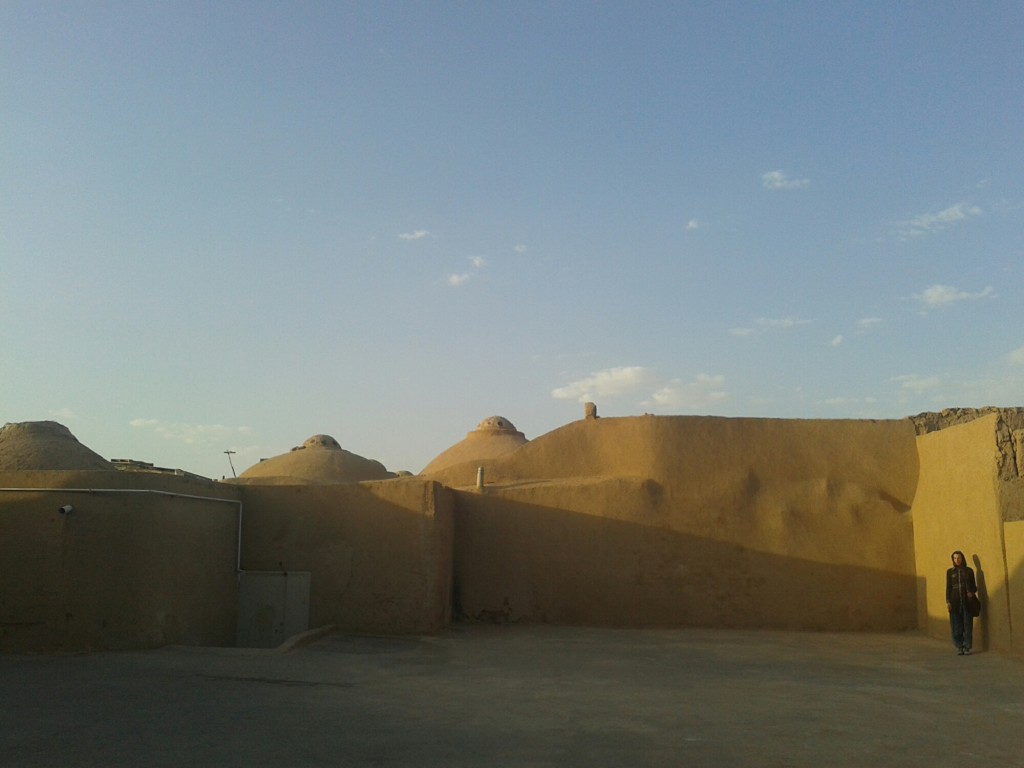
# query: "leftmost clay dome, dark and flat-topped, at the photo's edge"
46, 446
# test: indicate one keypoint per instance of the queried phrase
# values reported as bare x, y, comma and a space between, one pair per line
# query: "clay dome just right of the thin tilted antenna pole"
320, 459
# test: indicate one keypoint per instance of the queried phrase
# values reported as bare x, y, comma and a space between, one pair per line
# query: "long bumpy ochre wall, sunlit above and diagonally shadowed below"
695, 522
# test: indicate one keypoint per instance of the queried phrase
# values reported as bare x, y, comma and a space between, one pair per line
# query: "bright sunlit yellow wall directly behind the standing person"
958, 506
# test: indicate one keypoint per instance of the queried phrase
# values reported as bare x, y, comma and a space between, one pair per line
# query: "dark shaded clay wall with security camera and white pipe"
122, 571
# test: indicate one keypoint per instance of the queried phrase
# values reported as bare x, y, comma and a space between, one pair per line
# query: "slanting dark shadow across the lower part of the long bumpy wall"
522, 563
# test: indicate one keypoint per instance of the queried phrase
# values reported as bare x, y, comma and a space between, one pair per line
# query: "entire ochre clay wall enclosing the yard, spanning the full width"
647, 522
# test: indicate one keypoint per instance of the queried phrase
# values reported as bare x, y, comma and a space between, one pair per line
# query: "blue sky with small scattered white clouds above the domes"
233, 226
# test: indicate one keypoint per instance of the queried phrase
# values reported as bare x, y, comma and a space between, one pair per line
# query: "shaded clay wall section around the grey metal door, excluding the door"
379, 553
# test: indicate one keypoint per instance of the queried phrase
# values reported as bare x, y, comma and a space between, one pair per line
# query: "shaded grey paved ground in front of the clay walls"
523, 697
